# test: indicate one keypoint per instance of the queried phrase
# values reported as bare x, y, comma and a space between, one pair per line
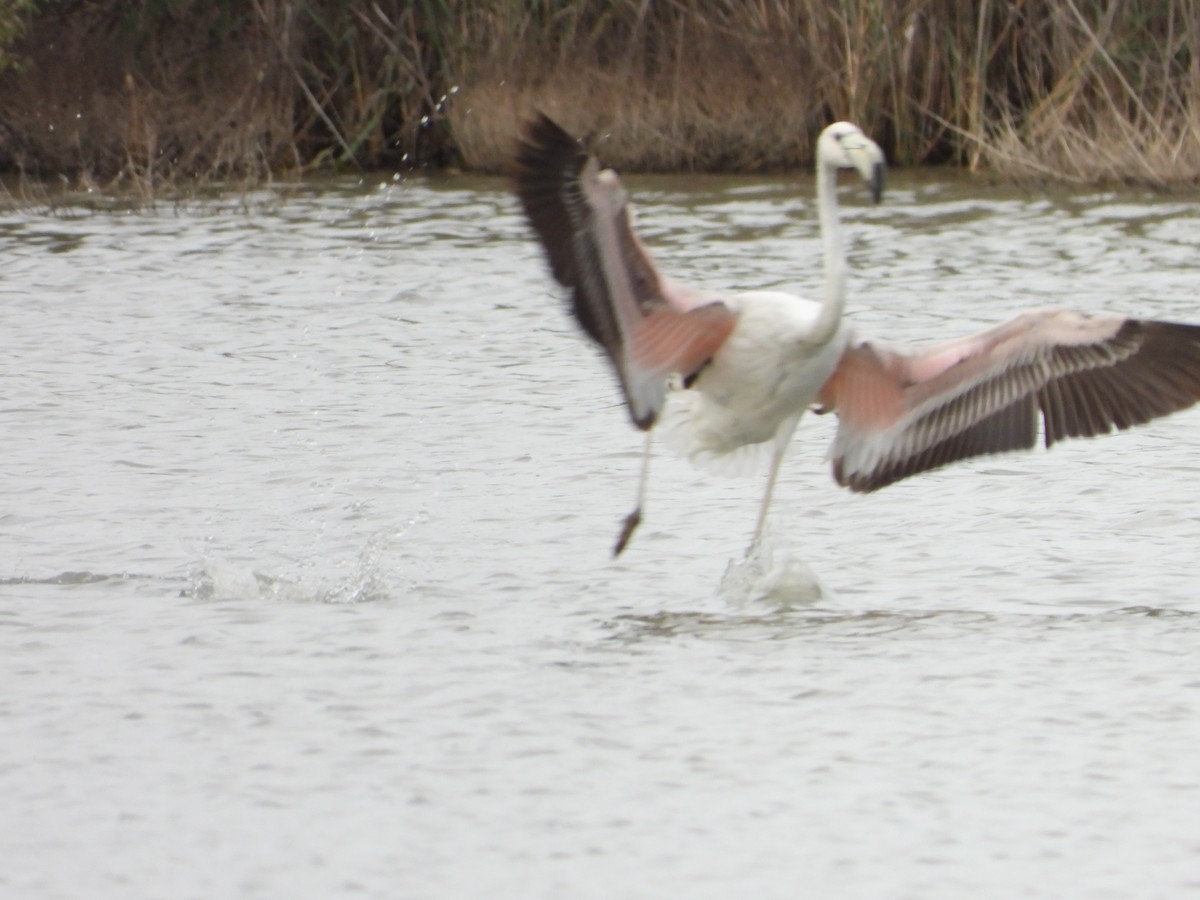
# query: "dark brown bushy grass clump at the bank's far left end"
93, 104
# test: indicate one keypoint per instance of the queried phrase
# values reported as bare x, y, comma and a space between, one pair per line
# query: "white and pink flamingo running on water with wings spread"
731, 375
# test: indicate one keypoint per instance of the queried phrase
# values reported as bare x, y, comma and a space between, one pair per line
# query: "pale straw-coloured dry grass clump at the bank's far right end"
1113, 93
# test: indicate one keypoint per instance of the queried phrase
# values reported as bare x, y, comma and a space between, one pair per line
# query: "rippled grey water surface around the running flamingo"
305, 589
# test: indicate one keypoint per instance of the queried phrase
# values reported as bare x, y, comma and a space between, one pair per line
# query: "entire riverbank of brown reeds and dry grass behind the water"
159, 92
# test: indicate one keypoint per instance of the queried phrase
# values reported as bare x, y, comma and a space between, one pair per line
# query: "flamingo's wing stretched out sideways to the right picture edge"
904, 412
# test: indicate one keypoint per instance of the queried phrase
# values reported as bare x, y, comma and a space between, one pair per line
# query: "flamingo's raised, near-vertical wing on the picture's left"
649, 328
